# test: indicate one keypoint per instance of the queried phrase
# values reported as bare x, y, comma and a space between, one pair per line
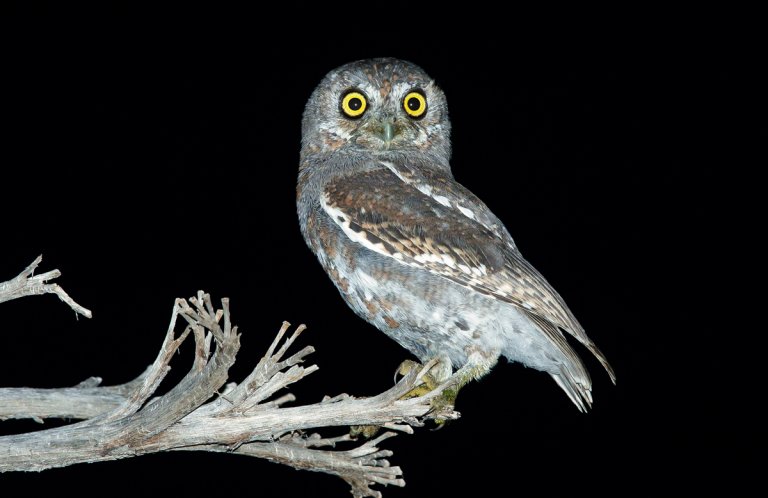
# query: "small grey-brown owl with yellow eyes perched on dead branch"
413, 252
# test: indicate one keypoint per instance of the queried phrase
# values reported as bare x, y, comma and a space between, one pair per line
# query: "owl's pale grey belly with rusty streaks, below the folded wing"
432, 316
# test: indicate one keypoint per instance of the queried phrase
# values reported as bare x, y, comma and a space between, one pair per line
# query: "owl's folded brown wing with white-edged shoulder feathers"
428, 229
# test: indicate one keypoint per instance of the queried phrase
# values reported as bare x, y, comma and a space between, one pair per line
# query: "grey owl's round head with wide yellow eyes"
377, 107
